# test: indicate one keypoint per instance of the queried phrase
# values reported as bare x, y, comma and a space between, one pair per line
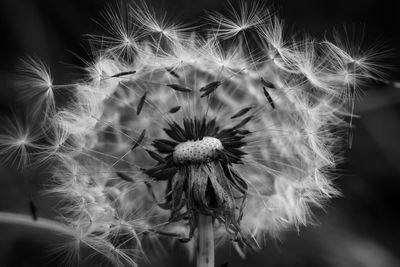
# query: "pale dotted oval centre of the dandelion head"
198, 151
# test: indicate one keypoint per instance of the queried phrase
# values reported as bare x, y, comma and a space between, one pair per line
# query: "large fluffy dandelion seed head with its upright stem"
195, 136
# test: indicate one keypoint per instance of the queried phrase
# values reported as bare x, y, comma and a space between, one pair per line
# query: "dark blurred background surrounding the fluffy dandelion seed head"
360, 229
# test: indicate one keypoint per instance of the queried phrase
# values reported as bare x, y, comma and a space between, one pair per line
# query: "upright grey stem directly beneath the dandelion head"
205, 242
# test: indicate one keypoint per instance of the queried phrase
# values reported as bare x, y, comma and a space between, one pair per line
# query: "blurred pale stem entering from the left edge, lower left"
25, 220
